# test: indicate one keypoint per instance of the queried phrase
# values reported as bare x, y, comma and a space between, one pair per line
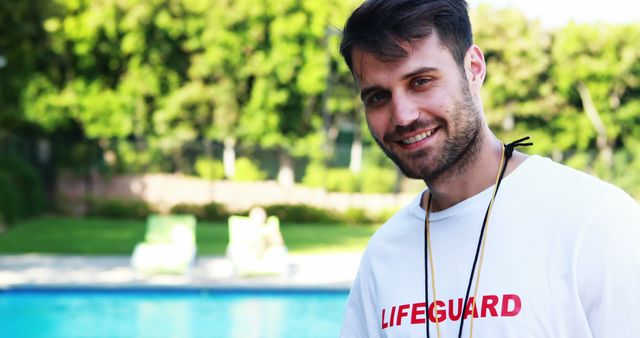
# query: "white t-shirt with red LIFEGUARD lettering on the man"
562, 259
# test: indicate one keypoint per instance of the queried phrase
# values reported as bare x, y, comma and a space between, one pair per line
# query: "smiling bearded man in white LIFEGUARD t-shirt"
551, 253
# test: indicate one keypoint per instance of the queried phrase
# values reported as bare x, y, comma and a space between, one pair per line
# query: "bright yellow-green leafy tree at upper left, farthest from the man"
112, 64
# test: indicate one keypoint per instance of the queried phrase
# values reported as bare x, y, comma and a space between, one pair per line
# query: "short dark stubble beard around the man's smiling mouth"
457, 152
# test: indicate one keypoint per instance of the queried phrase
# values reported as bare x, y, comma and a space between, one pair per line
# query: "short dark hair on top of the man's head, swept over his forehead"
379, 26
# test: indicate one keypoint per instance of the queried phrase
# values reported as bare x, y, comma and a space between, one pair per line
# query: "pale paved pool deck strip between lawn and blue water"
309, 271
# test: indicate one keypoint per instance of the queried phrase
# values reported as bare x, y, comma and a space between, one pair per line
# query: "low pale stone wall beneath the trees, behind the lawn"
166, 190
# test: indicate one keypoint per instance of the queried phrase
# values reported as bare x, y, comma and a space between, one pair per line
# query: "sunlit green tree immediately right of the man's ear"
519, 100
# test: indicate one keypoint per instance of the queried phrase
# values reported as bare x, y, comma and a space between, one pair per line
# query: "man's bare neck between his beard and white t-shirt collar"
479, 175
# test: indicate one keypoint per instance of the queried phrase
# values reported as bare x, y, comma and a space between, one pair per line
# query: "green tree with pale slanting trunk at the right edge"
597, 71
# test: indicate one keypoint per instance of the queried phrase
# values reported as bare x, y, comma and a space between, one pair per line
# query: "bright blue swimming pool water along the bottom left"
170, 313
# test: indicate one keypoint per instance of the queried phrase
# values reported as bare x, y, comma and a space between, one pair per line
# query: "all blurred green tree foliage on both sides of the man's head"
144, 79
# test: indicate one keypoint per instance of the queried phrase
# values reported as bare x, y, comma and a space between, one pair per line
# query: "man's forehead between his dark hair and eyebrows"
429, 52
